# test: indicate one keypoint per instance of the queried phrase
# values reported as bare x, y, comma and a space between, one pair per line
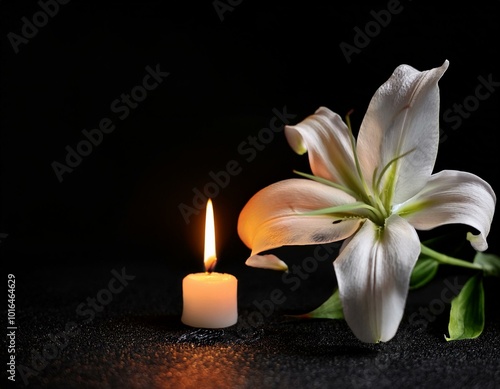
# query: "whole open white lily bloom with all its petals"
373, 193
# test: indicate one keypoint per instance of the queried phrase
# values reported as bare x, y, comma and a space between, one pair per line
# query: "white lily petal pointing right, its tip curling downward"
453, 196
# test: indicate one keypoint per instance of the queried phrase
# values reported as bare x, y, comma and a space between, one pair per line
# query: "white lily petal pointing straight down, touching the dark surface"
373, 273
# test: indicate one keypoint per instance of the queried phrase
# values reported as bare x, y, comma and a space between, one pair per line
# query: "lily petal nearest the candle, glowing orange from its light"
274, 216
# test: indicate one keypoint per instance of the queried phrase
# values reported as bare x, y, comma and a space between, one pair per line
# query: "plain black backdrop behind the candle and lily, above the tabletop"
227, 72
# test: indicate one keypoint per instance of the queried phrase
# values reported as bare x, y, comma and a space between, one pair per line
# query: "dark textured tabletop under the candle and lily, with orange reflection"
138, 340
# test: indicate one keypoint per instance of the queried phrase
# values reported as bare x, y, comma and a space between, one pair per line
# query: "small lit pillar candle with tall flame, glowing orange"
209, 298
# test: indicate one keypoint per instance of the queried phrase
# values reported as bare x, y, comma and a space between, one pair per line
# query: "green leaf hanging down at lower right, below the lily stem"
467, 311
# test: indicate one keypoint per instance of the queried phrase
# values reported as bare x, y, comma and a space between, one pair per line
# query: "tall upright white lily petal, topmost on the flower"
402, 117
